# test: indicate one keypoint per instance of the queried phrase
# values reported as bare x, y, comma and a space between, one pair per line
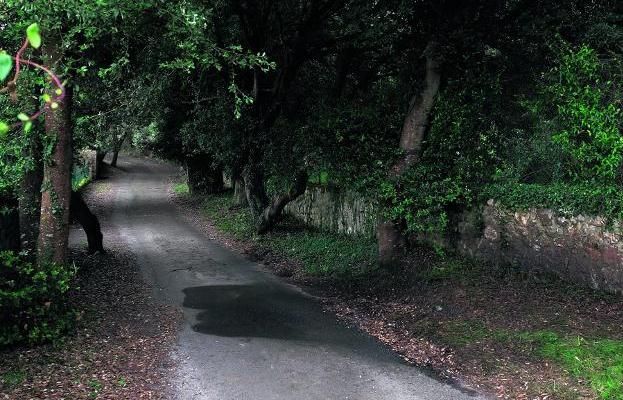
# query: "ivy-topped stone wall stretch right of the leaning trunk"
581, 249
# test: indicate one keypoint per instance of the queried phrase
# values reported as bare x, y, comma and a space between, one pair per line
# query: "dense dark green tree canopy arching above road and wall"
427, 107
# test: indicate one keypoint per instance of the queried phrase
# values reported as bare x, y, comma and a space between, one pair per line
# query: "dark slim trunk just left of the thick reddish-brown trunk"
30, 198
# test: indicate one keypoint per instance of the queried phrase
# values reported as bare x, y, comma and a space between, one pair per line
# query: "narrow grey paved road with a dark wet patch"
246, 334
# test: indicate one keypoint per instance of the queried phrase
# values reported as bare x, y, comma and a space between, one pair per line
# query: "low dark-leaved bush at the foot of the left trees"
33, 300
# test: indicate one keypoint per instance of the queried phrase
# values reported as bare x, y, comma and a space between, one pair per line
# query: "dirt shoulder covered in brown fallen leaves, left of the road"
120, 347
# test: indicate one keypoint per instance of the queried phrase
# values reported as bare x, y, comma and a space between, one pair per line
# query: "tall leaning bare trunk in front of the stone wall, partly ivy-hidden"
390, 239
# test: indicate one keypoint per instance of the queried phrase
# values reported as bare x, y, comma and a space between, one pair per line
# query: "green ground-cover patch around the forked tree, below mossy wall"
321, 253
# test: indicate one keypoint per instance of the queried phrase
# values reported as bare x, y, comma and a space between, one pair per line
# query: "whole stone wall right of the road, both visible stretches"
585, 250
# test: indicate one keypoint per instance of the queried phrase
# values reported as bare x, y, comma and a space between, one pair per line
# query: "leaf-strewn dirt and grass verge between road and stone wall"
499, 331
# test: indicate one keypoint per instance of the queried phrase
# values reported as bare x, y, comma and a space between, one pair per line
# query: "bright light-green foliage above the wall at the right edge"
580, 105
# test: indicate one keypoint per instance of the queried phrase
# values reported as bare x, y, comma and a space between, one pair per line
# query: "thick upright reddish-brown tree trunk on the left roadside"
56, 189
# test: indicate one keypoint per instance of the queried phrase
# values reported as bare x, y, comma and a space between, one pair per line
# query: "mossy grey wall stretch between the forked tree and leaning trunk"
335, 211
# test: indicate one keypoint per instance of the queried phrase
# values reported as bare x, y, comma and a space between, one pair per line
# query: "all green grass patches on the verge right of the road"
598, 362
